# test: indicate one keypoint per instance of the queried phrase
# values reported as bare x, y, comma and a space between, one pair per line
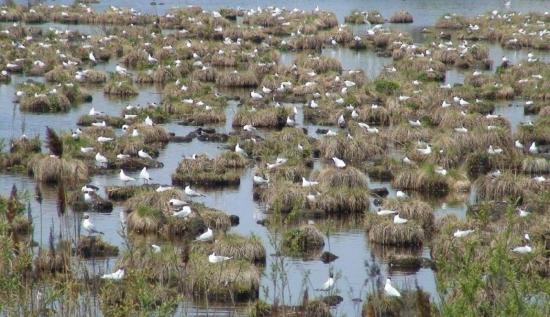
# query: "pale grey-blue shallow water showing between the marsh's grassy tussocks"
348, 242
